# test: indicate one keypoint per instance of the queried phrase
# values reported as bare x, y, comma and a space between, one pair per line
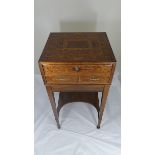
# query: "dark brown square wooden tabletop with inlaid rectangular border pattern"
78, 47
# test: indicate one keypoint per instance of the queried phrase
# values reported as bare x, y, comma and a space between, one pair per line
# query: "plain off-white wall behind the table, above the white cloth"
77, 16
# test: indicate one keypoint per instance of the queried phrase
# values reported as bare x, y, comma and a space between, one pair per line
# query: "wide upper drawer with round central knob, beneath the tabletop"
51, 69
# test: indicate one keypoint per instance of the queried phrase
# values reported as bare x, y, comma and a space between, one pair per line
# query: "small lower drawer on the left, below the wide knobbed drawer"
61, 79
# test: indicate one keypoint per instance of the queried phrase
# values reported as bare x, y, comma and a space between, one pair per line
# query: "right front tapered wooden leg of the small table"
103, 102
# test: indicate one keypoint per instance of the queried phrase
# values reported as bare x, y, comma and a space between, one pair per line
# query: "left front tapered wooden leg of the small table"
53, 104
